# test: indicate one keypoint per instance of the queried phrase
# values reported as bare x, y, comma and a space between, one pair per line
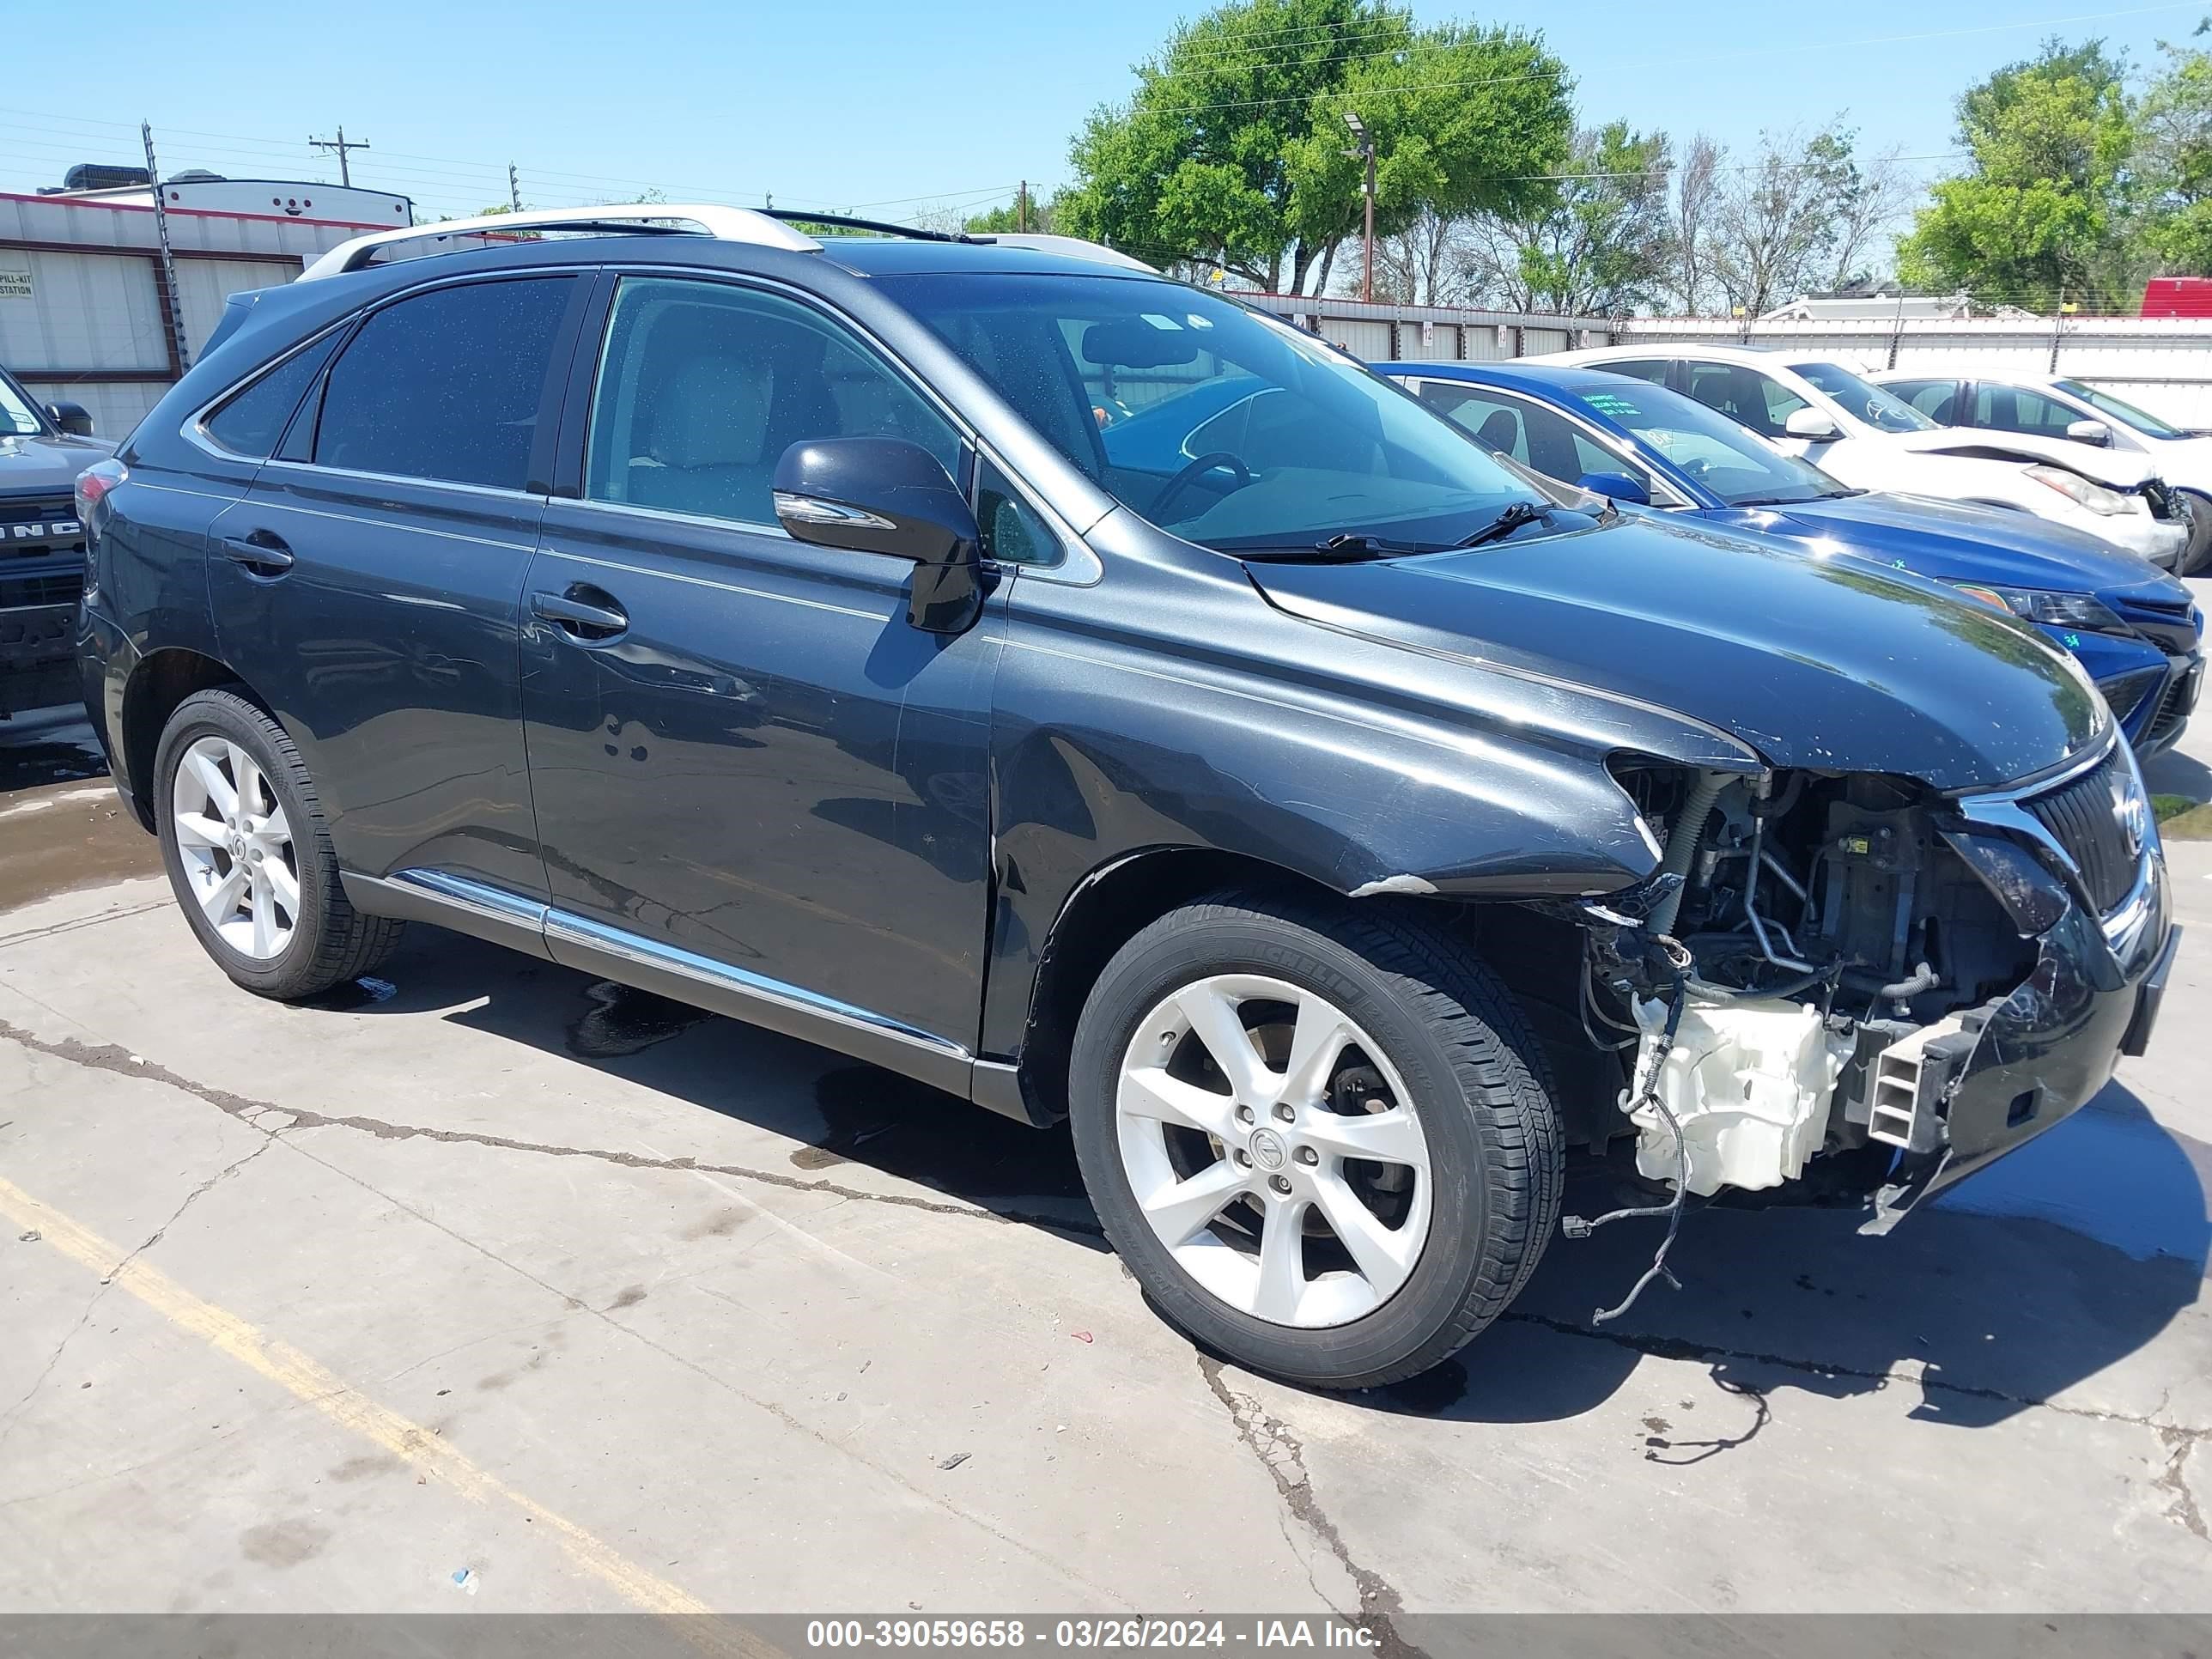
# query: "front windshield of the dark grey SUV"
1215, 424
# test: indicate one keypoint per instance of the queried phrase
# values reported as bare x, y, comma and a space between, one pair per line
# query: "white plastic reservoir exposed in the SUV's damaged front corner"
1751, 1087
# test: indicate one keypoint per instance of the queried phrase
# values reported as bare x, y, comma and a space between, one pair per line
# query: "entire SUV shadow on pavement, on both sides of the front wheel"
2038, 1273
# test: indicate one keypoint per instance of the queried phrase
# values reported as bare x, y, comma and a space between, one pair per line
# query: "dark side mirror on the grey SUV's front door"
888, 497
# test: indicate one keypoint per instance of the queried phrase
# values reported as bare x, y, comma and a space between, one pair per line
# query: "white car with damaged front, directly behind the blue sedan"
1872, 439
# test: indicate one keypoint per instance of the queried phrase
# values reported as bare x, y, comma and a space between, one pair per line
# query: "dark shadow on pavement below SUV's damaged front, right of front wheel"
2001, 1295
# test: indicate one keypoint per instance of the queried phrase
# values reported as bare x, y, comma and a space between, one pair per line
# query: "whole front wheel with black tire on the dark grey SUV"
1441, 1041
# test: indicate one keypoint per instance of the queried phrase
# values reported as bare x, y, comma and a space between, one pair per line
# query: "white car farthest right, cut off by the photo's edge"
2058, 406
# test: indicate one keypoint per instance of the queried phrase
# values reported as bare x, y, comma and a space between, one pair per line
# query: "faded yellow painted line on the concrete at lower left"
309, 1381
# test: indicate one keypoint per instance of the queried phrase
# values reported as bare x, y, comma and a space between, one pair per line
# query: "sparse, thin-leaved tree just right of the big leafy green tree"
1600, 244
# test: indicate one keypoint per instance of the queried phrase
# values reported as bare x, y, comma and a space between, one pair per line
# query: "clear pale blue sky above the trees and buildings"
879, 105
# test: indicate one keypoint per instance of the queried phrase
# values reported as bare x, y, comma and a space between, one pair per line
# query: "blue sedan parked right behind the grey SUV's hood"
2131, 625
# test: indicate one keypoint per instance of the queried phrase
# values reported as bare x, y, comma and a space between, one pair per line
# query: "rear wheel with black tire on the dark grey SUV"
286, 884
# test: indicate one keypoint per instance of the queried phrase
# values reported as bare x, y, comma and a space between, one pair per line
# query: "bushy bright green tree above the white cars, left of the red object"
2043, 209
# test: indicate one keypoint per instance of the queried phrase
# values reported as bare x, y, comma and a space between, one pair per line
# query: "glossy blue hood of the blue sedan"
1954, 541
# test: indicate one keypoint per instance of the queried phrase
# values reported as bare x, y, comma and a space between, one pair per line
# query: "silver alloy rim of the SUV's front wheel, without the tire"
1273, 1151
